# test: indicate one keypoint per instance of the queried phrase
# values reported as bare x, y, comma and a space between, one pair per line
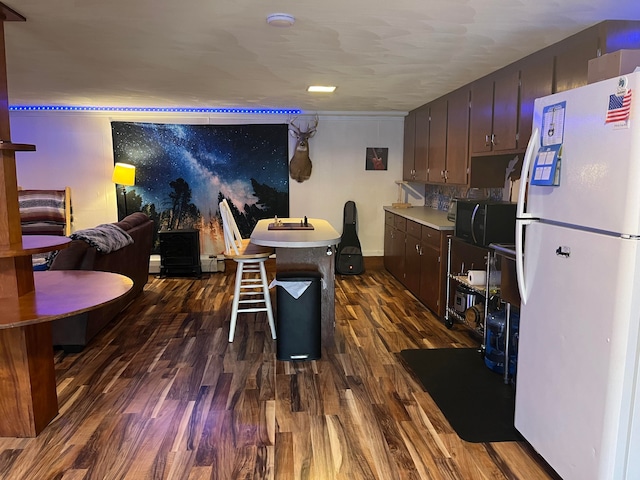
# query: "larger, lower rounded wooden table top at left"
62, 293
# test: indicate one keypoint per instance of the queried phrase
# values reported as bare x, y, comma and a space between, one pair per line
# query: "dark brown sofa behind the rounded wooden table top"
73, 333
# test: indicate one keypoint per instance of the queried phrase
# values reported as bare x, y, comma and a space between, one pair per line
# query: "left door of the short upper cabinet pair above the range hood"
481, 125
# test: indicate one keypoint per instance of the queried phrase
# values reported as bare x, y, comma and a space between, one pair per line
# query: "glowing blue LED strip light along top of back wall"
18, 108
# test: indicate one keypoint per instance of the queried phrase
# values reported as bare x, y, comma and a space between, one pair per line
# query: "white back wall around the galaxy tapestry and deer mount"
75, 149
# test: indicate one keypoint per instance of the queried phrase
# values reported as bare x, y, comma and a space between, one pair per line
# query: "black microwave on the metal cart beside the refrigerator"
482, 222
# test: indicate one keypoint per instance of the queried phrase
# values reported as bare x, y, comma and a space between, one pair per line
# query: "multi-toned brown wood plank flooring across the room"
161, 394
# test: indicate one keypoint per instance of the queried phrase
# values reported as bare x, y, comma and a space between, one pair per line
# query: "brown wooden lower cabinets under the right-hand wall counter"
415, 255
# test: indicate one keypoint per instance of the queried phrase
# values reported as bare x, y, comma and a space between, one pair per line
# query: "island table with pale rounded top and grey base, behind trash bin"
303, 245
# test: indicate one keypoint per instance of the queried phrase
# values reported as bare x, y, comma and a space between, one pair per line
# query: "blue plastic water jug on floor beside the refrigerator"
494, 349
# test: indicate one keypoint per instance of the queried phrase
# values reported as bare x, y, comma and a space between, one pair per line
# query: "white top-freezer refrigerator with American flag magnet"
578, 269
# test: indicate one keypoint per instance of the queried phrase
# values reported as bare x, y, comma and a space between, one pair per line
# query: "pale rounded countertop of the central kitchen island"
322, 235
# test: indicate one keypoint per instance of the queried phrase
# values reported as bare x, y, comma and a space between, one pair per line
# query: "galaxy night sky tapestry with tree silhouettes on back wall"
184, 171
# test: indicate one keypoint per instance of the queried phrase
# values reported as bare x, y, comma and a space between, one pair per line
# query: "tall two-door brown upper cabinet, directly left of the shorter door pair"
449, 138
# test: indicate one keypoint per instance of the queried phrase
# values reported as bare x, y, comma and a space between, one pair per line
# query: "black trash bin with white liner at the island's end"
298, 319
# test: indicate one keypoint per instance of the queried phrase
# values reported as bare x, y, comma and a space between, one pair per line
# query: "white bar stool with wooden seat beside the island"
251, 292
